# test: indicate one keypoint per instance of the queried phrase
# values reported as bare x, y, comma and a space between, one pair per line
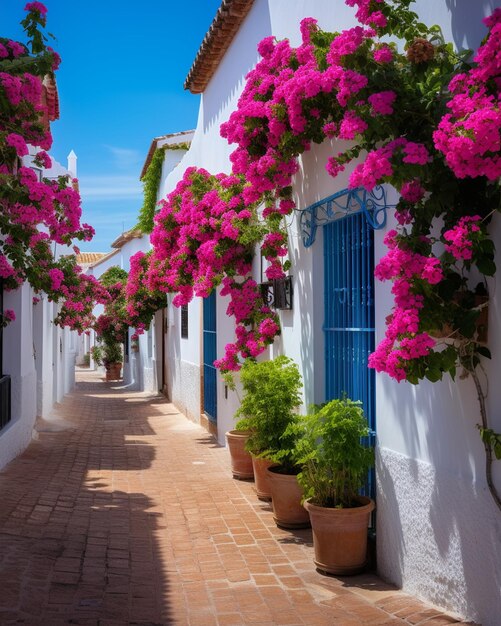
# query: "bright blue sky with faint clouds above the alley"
120, 84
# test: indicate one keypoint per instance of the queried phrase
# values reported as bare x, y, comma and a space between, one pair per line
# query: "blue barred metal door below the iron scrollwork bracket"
349, 314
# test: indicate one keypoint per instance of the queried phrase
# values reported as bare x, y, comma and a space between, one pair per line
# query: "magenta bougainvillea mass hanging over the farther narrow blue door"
203, 236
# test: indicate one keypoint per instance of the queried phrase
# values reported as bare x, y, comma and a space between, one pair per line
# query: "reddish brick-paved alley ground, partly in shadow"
125, 513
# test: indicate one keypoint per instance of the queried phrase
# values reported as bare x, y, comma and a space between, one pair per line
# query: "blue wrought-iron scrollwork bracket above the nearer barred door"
341, 204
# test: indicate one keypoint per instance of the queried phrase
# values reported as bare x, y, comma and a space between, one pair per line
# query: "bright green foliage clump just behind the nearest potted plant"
271, 396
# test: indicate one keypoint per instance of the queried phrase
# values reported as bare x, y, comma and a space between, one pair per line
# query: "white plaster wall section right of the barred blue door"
439, 532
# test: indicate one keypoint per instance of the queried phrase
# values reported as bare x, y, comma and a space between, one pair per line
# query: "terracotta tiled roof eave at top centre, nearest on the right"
225, 25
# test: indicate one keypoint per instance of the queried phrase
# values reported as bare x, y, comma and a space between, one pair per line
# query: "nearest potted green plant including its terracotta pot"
335, 467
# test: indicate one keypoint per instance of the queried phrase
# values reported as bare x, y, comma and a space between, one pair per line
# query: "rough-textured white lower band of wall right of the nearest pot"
439, 536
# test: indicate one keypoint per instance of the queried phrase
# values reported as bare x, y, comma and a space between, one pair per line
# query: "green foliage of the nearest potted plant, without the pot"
335, 461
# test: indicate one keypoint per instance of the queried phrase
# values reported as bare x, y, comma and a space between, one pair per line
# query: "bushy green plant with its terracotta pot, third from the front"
271, 395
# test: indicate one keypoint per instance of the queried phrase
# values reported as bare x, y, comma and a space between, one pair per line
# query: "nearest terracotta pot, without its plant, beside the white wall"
340, 537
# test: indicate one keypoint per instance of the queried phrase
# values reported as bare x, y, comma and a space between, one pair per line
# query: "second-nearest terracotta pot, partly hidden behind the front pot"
286, 495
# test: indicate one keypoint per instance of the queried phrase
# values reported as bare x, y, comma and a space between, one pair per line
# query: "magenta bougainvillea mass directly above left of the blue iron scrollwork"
274, 103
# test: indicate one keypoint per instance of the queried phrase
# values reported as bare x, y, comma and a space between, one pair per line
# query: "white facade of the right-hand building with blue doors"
438, 531
